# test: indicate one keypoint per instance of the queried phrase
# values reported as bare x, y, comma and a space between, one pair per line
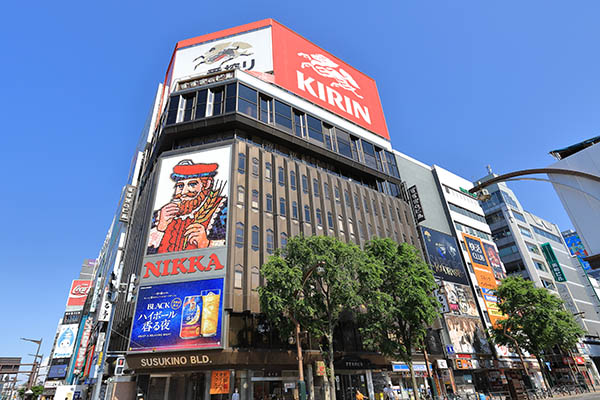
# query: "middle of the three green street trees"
401, 308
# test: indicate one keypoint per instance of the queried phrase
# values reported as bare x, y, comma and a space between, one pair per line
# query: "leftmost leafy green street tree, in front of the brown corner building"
313, 280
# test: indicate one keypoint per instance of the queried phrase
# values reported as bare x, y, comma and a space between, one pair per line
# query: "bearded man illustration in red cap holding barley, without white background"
196, 216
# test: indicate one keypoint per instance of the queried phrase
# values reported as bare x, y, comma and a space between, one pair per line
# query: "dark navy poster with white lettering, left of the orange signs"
444, 257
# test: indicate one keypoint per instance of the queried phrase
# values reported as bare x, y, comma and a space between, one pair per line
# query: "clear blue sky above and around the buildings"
464, 84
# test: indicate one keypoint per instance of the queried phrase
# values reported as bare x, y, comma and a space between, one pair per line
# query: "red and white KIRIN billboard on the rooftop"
275, 53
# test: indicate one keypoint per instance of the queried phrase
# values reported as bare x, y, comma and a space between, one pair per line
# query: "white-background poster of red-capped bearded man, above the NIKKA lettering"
190, 205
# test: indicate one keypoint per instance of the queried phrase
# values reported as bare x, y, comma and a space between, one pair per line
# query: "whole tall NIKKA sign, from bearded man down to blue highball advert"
180, 299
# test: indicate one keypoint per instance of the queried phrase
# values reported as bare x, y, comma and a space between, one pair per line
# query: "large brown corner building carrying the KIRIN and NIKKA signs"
257, 135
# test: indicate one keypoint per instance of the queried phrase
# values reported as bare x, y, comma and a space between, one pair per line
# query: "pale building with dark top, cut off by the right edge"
579, 195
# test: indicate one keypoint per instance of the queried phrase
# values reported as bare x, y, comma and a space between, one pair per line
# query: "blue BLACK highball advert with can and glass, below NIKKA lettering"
178, 316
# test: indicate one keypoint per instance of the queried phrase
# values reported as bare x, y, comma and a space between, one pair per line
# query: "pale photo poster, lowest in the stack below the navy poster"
467, 334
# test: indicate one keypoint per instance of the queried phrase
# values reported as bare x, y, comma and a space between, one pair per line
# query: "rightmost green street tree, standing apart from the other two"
536, 320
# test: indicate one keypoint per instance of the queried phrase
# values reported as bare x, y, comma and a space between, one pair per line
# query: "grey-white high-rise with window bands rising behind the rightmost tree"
534, 248
